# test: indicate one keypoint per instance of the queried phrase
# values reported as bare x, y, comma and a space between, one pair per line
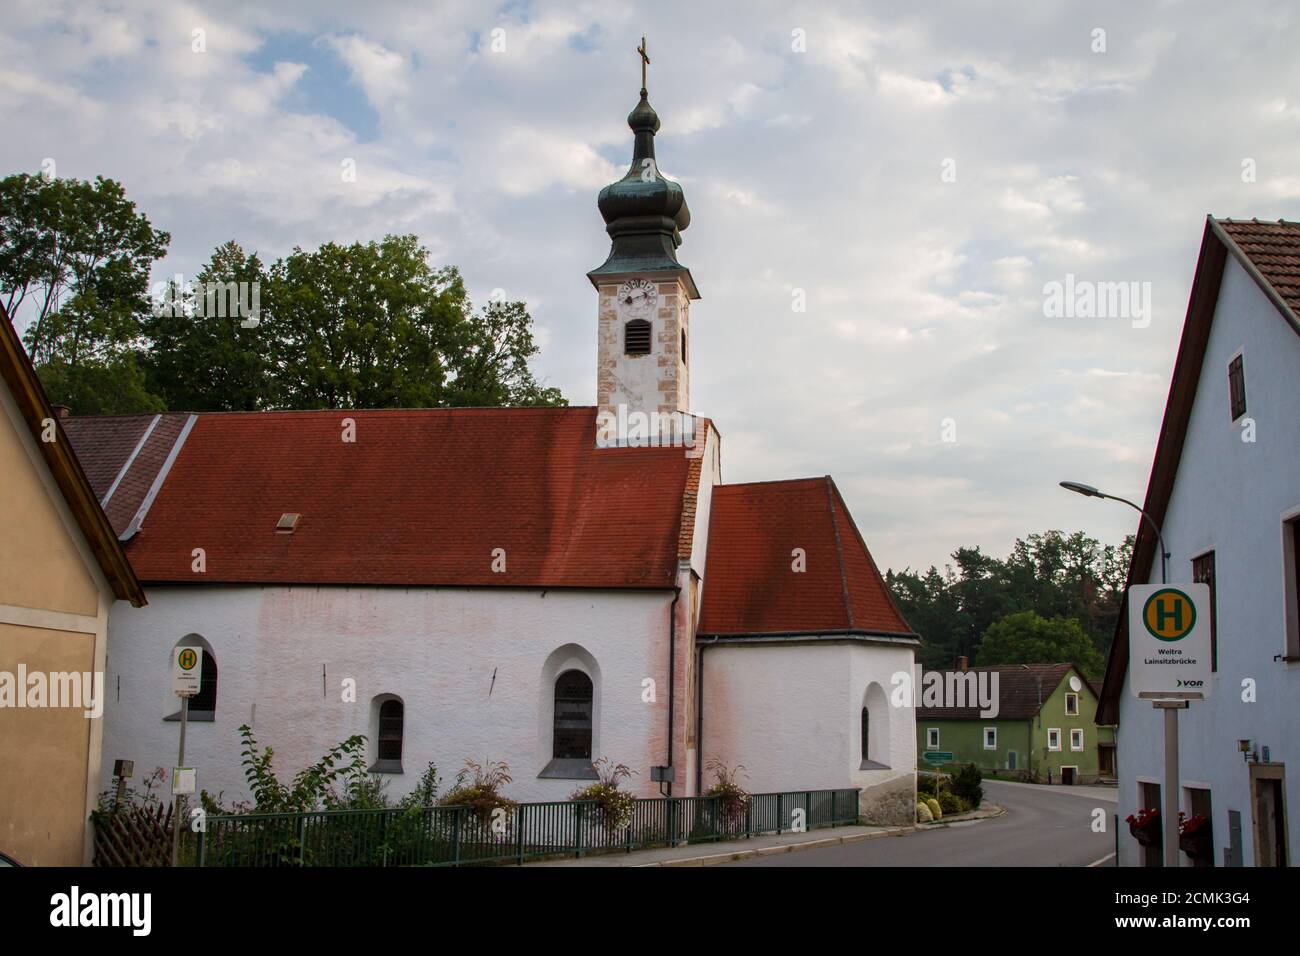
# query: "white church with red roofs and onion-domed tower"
539, 586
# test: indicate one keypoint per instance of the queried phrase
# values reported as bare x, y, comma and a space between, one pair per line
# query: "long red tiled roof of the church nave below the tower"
423, 498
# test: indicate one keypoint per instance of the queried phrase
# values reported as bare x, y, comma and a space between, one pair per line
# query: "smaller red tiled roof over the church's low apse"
752, 587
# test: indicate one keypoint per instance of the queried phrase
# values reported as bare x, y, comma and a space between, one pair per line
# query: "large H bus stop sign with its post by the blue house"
1169, 664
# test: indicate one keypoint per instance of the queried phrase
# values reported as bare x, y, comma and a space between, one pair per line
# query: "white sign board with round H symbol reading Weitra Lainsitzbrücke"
1169, 642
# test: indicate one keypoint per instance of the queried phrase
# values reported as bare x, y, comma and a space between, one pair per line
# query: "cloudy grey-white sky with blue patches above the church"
920, 171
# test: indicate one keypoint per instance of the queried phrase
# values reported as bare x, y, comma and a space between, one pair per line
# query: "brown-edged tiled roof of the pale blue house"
1271, 256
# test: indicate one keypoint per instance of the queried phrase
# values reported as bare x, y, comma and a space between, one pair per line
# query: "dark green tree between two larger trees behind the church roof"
202, 362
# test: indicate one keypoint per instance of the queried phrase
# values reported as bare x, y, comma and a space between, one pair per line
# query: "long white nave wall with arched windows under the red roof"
283, 655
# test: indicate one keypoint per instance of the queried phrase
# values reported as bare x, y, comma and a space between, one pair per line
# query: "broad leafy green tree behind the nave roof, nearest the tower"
376, 327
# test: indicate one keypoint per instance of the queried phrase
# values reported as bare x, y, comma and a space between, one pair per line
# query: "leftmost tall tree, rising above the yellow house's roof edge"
77, 256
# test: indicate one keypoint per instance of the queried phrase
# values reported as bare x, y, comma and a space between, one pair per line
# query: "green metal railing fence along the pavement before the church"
458, 836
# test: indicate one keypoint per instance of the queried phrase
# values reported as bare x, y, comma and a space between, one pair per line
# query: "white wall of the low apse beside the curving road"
791, 715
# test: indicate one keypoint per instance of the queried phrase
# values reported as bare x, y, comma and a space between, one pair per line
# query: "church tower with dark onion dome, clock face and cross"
644, 293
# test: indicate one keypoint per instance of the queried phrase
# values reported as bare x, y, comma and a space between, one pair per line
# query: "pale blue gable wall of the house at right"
1232, 498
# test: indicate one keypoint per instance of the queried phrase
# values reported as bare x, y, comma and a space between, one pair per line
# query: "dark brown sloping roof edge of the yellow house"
62, 460
